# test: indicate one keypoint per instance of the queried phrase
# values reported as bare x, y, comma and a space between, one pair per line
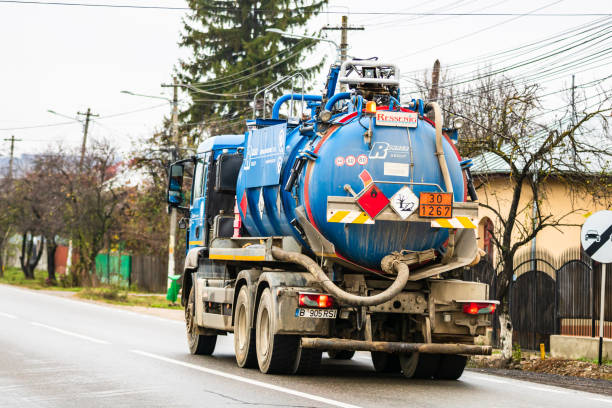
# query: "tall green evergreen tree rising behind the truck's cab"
232, 56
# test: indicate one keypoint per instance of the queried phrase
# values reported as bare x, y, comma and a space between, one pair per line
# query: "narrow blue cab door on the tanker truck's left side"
198, 201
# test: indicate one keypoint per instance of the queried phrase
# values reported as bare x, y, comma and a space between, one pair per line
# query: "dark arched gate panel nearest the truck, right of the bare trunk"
532, 306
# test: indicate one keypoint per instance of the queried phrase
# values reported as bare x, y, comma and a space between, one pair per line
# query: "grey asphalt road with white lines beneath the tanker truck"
58, 352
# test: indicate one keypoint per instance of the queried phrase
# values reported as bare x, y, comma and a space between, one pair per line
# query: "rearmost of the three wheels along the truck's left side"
276, 354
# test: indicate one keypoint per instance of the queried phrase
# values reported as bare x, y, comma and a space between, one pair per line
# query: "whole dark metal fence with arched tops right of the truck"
551, 295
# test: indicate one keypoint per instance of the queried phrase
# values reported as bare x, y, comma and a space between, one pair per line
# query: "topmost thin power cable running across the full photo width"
261, 10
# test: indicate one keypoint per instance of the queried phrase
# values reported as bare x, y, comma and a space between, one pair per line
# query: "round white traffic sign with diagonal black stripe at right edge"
596, 236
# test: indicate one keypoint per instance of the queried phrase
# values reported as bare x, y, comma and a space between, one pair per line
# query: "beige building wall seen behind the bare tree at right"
559, 200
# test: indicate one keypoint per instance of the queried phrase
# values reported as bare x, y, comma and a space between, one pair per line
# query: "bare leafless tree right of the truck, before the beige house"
513, 136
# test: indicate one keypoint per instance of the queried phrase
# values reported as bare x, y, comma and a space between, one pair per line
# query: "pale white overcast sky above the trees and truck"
70, 58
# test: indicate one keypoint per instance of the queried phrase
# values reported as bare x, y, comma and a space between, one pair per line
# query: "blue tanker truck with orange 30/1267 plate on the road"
336, 226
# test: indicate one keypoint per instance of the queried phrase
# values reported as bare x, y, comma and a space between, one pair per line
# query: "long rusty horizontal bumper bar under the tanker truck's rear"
394, 347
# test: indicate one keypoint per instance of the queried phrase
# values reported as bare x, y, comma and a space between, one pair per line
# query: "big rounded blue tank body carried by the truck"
398, 156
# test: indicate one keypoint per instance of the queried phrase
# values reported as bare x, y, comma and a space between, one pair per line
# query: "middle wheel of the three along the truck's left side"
244, 335
